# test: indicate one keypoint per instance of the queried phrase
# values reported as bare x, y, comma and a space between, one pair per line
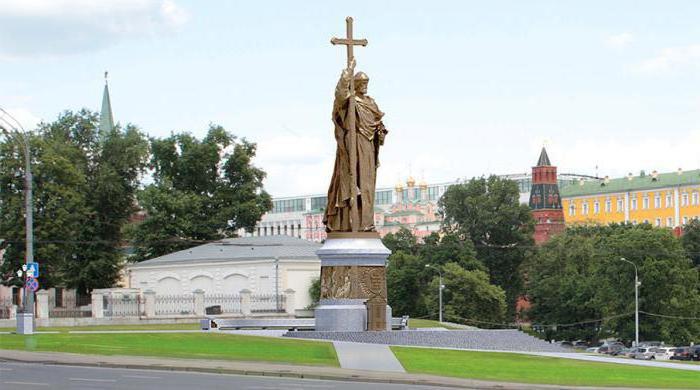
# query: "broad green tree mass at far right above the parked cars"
578, 276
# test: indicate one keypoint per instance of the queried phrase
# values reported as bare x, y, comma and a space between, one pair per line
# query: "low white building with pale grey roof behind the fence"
263, 265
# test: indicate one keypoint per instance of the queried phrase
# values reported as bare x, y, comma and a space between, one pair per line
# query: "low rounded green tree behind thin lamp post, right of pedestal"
468, 295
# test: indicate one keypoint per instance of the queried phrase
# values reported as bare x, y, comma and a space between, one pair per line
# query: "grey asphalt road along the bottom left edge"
23, 376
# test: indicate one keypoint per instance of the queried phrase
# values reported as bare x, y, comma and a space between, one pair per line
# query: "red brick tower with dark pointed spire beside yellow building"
545, 201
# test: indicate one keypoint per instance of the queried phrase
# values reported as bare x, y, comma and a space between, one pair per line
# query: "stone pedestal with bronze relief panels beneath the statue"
353, 283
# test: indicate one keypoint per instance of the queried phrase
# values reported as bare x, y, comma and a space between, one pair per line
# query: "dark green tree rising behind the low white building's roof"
203, 190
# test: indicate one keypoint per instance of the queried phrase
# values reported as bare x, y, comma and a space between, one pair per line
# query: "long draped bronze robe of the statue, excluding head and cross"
369, 137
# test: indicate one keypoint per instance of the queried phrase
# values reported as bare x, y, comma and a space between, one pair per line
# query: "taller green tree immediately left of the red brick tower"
488, 212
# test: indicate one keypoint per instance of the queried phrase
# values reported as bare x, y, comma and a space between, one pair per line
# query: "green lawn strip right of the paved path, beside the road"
511, 367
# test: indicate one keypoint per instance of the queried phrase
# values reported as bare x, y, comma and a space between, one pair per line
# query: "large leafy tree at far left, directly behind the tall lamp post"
84, 186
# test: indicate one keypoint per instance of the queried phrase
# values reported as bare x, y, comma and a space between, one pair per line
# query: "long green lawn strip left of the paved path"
180, 345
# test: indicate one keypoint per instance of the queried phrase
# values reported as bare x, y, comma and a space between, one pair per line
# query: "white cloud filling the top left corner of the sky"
40, 28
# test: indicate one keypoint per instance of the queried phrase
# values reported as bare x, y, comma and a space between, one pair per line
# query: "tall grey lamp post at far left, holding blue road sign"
15, 127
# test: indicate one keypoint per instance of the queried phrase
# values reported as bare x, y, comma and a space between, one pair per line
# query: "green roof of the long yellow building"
637, 183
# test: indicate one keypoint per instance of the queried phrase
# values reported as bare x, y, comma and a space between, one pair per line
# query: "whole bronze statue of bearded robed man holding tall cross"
359, 132
